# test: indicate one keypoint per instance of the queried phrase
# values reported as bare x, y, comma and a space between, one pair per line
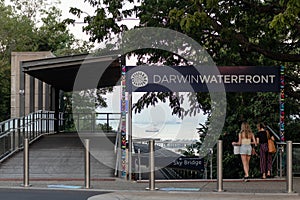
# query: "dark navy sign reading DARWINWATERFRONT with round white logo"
188, 79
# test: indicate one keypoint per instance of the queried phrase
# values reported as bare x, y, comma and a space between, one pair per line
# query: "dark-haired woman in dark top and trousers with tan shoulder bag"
262, 140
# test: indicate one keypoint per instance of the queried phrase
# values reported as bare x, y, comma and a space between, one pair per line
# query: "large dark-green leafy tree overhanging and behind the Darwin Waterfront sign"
261, 33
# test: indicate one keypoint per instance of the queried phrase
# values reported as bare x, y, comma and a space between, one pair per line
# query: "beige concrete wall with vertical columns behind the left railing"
20, 103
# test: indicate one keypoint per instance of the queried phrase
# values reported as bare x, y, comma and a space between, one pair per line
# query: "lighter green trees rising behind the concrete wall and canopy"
21, 31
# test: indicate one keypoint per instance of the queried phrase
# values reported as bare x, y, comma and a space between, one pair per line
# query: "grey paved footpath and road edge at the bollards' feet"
113, 189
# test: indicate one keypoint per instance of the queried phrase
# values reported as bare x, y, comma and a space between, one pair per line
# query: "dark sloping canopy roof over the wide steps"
61, 72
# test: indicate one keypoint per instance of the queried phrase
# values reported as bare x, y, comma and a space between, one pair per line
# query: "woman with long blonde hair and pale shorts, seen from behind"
246, 138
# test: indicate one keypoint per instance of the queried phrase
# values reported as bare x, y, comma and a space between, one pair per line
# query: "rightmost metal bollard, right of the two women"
289, 167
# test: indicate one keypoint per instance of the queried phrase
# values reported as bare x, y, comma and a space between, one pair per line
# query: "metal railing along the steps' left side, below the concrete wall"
14, 131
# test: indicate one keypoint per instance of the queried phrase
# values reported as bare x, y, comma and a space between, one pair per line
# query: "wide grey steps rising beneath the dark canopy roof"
61, 156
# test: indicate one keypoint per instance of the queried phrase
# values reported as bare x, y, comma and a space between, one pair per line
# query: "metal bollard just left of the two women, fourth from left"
220, 166
